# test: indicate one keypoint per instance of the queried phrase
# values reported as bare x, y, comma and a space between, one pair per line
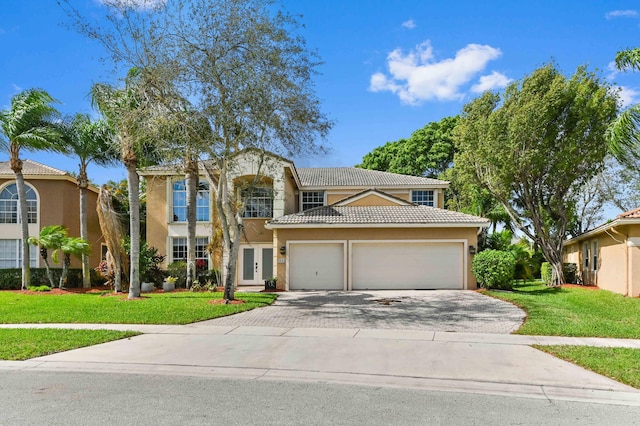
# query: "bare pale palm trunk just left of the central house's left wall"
134, 226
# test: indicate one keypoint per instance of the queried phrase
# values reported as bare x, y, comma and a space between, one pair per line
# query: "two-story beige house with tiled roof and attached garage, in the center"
326, 228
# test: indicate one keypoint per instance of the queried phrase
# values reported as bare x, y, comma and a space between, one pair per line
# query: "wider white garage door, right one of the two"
406, 266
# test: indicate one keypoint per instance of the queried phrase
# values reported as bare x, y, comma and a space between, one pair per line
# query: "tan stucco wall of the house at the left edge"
59, 204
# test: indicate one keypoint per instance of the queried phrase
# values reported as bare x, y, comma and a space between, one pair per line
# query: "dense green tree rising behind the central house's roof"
428, 152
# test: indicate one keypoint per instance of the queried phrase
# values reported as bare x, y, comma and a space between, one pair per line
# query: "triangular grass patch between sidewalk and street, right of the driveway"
620, 364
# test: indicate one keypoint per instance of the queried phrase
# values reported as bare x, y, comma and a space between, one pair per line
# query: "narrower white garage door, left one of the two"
317, 266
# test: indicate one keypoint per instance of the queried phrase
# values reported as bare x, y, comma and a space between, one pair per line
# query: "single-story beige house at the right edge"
609, 255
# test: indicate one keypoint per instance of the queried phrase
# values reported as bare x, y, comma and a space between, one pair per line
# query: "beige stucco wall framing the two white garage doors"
317, 234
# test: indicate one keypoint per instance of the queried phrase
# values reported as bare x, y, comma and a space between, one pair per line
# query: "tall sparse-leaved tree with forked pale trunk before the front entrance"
247, 71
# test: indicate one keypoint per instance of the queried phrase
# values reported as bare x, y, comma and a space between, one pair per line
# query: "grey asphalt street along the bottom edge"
52, 398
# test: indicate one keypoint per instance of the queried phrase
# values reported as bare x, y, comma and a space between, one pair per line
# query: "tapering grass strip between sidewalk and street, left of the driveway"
25, 343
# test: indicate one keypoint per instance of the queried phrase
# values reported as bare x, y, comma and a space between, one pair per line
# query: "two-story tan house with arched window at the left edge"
52, 199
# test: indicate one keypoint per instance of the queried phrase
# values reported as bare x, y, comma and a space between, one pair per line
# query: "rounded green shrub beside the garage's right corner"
494, 269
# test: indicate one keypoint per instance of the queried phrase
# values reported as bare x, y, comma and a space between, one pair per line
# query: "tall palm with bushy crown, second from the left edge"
90, 141
